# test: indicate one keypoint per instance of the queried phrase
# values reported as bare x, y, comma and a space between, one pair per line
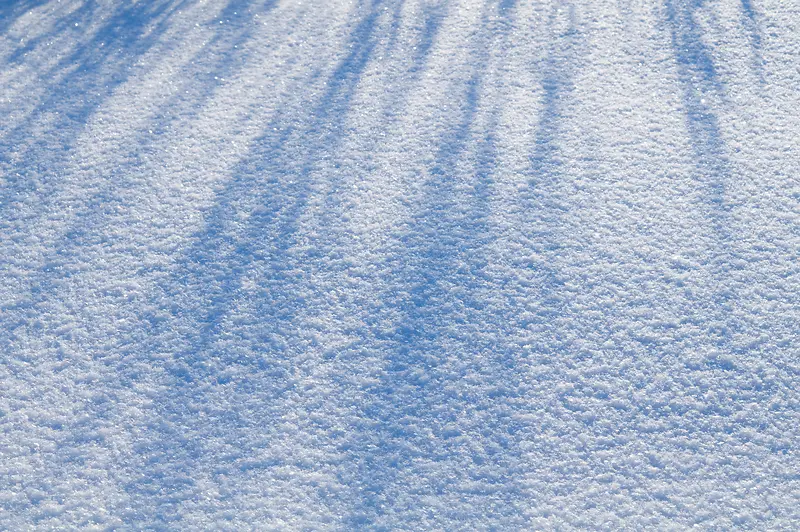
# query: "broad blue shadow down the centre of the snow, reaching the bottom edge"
430, 326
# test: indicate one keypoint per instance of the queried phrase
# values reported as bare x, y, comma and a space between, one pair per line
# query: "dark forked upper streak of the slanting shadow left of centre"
321, 130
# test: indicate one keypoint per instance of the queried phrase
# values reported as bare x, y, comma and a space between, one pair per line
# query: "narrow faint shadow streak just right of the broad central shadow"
547, 208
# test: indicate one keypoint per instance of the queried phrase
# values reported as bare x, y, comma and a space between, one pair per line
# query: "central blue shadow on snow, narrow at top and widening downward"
441, 247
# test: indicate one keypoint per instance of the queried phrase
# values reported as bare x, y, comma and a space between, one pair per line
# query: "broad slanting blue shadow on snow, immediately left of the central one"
252, 234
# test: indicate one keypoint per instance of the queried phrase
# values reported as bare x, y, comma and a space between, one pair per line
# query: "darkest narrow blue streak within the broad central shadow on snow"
415, 359
